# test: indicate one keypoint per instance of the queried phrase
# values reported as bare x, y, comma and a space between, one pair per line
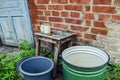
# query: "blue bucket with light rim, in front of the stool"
36, 68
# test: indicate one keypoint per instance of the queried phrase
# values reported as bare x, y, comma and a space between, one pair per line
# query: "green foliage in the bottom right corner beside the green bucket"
115, 73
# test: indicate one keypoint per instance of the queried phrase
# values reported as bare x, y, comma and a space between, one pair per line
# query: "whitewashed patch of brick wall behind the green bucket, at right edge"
111, 42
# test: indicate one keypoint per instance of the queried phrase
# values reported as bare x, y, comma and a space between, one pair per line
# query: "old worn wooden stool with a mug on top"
57, 38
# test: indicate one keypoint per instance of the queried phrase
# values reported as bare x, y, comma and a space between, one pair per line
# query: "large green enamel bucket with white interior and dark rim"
84, 63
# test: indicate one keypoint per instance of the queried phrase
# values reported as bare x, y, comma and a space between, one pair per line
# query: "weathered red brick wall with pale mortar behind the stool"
95, 22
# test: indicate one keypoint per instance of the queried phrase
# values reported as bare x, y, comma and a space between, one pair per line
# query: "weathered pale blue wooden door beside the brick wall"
15, 22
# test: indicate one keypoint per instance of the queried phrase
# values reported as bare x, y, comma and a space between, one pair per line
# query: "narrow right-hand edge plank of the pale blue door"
27, 22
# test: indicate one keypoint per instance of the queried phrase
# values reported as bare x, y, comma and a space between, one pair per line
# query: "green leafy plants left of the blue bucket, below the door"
8, 69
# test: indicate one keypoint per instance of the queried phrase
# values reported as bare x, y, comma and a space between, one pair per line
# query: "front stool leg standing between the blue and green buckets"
56, 54
